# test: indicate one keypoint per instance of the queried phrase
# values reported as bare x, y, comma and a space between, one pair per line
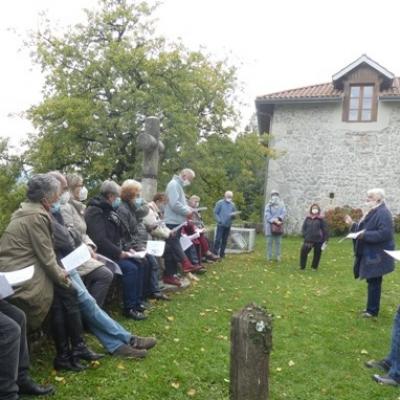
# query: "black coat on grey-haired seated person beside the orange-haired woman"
104, 227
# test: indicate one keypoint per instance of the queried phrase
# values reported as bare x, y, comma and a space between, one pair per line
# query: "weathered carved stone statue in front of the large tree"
149, 142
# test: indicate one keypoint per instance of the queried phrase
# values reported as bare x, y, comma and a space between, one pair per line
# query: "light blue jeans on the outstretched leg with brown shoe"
109, 332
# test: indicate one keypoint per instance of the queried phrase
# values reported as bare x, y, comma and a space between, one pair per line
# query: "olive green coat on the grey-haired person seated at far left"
27, 241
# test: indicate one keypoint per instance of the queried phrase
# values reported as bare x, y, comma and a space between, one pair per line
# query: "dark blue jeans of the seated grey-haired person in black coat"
132, 283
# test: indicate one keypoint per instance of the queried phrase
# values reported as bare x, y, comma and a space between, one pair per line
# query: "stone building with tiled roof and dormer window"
334, 140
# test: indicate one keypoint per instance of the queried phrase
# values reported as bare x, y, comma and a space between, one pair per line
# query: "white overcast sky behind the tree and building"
275, 45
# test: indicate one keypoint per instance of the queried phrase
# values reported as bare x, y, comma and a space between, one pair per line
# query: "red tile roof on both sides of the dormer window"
321, 92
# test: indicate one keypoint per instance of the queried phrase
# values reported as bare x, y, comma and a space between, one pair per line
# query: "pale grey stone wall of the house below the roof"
319, 155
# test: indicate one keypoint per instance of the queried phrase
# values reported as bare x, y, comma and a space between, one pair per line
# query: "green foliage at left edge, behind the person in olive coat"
12, 189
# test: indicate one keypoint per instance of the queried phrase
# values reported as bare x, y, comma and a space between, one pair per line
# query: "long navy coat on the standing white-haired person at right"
371, 261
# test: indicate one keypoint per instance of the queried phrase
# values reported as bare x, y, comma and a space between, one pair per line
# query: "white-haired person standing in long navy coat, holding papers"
377, 235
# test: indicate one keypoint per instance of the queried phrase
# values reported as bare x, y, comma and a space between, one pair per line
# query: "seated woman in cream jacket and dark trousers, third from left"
96, 276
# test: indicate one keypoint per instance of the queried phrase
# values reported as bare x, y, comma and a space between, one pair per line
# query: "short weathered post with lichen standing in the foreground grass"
251, 344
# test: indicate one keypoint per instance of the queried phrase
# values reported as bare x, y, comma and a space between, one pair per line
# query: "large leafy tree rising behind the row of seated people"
105, 76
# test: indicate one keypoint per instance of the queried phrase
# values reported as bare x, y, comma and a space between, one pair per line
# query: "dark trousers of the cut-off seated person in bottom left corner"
14, 354
